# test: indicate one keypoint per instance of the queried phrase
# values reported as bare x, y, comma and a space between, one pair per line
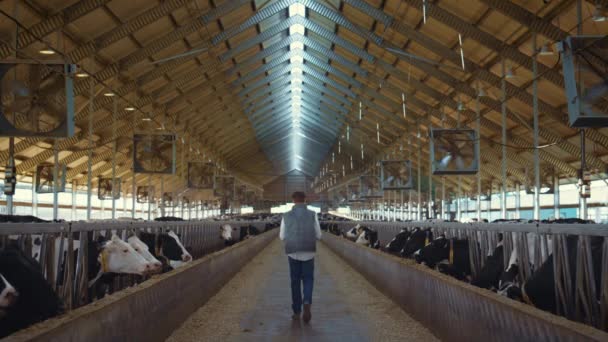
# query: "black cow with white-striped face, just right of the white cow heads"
168, 248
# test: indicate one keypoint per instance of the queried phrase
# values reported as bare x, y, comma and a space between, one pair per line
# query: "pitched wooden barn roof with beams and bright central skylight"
234, 101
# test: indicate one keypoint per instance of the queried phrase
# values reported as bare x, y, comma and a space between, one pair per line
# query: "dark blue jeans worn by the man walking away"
301, 272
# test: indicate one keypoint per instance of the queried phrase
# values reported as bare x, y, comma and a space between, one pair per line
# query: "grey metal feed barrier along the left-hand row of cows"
199, 237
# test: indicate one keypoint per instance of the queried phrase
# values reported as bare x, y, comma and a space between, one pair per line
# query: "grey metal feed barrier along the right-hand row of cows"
576, 295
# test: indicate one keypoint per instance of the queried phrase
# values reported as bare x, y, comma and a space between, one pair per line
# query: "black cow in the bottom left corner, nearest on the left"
36, 301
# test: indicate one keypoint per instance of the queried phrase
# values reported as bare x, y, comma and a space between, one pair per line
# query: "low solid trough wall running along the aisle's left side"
153, 309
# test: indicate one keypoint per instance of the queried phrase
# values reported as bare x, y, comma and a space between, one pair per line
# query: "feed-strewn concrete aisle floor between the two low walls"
256, 306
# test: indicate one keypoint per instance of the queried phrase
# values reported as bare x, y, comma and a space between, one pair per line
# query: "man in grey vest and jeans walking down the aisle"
300, 231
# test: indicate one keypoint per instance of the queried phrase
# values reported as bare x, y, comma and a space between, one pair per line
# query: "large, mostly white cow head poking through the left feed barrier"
117, 256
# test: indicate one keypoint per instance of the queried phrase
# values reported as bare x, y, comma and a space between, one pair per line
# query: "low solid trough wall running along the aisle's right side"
453, 310
